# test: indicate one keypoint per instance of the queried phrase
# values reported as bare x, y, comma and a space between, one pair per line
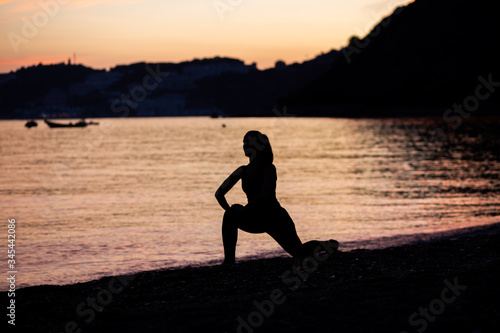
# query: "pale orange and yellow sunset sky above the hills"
103, 34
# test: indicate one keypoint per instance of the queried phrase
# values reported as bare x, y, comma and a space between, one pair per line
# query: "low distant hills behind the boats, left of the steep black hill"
199, 87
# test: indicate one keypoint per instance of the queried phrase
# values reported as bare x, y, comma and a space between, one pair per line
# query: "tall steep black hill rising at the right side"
428, 54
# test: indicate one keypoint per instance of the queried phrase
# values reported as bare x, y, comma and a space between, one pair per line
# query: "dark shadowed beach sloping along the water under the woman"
448, 284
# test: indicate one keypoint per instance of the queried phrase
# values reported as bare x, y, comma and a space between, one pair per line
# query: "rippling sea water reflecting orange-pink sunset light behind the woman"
137, 194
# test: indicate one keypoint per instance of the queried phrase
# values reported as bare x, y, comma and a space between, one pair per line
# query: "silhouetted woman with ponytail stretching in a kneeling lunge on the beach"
263, 212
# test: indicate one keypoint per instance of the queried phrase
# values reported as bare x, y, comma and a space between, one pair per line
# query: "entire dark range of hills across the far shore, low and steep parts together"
422, 60
